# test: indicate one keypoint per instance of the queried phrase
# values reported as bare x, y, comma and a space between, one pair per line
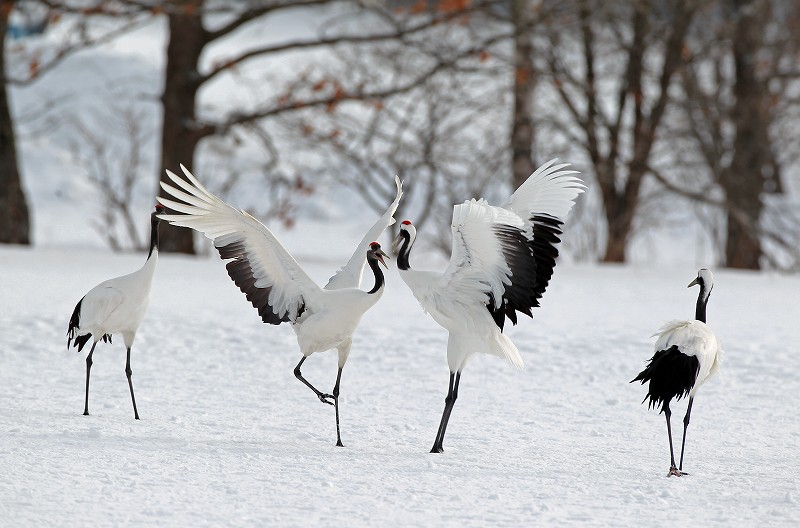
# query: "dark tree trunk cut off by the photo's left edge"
14, 220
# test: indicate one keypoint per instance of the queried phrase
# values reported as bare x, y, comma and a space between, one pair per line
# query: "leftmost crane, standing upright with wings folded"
116, 306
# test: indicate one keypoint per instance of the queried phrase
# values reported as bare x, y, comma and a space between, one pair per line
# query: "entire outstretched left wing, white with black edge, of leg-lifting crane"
261, 267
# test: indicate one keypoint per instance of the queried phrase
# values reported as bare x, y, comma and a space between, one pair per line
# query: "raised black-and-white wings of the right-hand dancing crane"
509, 252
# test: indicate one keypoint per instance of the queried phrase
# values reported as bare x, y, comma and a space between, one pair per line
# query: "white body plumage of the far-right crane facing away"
693, 338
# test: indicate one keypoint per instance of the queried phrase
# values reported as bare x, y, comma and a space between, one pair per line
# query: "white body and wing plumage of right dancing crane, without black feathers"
482, 264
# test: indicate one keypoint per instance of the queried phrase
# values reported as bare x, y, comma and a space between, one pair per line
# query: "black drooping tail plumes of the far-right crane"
671, 374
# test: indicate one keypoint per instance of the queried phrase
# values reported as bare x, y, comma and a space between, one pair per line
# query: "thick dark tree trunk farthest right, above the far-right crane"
744, 179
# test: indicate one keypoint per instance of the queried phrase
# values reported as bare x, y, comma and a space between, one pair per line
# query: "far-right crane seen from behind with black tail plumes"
687, 353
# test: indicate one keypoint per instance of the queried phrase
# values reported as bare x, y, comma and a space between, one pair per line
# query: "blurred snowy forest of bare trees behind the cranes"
682, 116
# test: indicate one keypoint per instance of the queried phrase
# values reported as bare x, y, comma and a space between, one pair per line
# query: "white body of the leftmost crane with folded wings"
118, 305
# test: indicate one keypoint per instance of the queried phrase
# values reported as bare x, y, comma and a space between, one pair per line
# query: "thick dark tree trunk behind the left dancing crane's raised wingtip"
181, 134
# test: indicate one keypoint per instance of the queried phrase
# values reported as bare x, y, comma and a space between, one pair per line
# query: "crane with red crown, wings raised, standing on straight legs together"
501, 262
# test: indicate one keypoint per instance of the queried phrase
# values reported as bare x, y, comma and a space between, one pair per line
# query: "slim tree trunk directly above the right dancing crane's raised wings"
522, 164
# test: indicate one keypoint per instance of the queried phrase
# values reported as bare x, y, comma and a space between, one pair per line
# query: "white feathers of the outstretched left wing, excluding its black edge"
271, 264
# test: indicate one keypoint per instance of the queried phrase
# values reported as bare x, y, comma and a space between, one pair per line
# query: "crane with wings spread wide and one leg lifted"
276, 285
